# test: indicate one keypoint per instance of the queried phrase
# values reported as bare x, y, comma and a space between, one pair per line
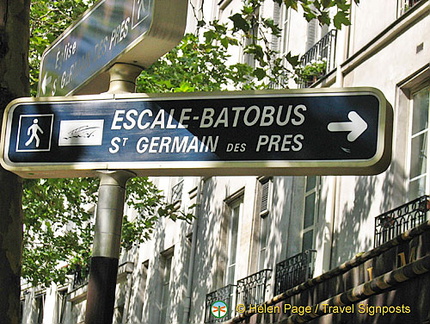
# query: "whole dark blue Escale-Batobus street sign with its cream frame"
285, 132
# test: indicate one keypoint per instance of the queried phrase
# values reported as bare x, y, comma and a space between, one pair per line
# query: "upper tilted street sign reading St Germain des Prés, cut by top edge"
126, 31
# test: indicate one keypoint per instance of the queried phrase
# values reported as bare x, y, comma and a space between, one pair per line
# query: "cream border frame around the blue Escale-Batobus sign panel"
375, 165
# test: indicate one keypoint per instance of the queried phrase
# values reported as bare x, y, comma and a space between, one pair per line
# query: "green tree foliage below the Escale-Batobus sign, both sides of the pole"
59, 217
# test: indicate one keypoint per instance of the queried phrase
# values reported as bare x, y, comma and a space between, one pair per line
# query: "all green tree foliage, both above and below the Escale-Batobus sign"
58, 214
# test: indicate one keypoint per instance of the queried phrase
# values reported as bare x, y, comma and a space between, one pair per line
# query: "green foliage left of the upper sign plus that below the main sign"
59, 213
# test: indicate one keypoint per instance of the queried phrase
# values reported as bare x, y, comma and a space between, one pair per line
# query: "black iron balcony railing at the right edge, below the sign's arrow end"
396, 221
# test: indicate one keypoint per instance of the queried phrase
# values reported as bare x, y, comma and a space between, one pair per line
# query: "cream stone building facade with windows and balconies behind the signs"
324, 249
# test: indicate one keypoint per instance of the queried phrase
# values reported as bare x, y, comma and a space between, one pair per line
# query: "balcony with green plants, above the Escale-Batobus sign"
318, 61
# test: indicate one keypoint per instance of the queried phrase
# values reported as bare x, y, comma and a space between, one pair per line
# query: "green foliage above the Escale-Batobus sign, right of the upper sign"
201, 61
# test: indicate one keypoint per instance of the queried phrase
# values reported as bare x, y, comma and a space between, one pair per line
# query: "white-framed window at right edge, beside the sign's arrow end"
418, 163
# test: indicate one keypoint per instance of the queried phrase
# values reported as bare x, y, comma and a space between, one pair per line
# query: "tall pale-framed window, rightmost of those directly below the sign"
310, 213
